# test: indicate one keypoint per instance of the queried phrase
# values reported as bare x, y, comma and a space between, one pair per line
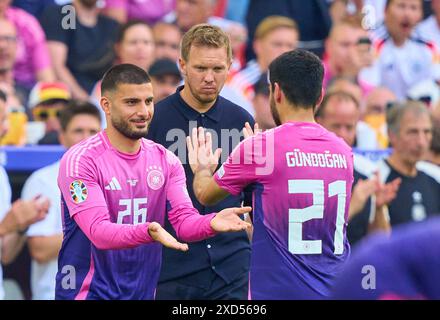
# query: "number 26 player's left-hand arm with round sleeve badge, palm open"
86, 204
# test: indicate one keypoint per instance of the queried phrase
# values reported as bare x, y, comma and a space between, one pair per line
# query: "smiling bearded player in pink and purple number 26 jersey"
116, 188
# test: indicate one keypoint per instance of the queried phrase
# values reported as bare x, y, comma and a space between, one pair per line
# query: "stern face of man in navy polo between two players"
205, 73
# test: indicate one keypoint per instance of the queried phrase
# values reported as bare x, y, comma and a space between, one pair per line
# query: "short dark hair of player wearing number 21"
299, 74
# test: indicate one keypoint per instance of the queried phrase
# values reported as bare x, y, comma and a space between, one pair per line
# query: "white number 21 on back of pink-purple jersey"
316, 211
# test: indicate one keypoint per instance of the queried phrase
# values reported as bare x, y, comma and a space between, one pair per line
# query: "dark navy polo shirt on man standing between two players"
226, 255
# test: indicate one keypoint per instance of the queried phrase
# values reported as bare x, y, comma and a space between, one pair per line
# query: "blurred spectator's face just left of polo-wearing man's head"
167, 39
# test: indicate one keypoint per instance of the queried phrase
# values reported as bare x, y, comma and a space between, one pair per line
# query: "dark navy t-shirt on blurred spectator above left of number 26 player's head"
90, 49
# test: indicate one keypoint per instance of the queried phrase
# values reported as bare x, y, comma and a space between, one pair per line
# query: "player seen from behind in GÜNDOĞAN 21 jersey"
301, 176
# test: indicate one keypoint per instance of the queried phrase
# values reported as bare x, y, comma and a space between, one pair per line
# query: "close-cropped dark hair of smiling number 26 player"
123, 74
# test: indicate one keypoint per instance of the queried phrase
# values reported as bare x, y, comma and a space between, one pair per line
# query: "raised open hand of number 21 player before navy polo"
200, 154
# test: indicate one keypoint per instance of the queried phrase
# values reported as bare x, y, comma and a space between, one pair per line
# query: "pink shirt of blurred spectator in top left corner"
32, 62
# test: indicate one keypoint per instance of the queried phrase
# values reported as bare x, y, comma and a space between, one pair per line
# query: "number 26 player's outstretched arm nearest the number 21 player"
185, 219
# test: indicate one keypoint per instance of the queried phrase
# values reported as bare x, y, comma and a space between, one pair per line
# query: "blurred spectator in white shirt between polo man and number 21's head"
274, 36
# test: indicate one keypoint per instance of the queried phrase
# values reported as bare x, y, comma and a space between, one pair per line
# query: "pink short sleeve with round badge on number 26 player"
78, 183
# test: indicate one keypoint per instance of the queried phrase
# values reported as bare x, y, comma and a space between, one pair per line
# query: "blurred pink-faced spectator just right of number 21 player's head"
347, 51
